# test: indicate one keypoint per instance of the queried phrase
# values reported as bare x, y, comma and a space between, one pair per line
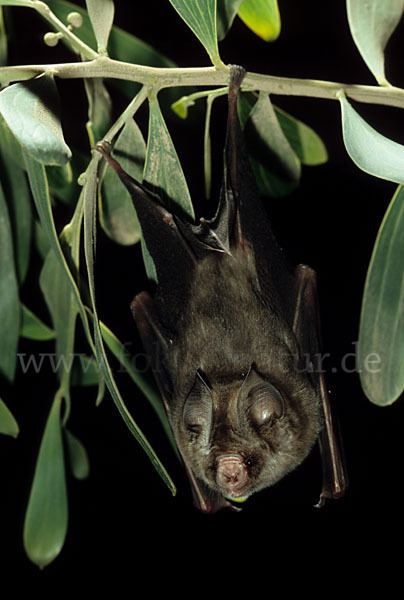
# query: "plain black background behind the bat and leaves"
122, 520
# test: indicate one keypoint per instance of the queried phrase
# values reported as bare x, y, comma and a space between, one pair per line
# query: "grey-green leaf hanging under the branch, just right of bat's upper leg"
275, 164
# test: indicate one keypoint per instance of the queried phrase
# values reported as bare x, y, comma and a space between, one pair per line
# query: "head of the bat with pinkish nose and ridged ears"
242, 436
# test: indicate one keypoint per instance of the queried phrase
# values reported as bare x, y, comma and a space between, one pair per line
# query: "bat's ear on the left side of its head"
198, 410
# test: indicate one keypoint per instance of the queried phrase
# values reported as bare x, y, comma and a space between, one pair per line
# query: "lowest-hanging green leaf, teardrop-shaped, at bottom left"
46, 518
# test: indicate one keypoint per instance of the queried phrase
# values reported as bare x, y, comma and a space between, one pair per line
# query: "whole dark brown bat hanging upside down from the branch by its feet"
233, 336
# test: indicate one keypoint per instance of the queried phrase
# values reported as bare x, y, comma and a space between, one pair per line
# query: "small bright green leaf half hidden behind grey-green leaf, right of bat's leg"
305, 142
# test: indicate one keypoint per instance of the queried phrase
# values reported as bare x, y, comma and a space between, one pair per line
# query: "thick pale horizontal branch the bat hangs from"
160, 78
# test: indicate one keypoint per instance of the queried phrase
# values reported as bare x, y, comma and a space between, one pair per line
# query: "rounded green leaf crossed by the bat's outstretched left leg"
117, 214
